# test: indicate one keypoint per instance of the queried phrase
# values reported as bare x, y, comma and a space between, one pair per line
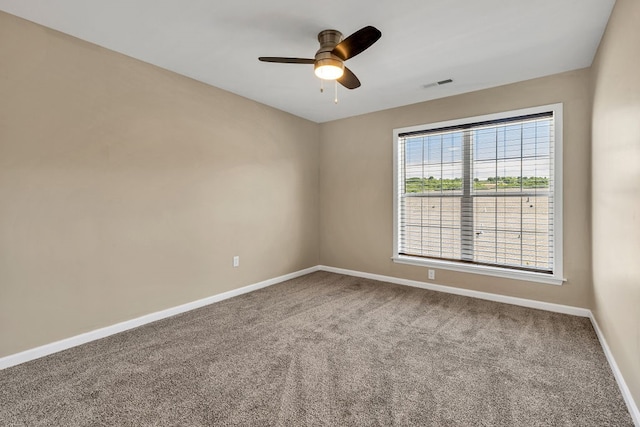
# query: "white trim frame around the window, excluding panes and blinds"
557, 277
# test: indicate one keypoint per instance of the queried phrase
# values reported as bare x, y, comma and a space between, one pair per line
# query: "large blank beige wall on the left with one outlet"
126, 189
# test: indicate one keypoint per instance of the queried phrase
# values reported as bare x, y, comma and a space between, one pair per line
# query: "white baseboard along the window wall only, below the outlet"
547, 306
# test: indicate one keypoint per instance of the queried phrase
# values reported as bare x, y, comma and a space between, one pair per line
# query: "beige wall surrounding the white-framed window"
356, 197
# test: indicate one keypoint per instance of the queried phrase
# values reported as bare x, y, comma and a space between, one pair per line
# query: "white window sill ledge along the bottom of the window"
528, 276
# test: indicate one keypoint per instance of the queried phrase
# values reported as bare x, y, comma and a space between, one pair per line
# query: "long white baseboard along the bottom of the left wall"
45, 350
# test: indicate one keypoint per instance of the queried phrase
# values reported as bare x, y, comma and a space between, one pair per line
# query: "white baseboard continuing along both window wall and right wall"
558, 308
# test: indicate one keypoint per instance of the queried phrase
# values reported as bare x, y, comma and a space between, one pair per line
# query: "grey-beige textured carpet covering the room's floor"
328, 349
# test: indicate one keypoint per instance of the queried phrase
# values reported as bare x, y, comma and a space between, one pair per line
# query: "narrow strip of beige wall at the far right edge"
616, 189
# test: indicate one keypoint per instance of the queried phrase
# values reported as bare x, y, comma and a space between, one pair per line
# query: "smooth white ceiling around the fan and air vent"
477, 43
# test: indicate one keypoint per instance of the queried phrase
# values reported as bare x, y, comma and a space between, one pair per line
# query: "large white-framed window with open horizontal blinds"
482, 194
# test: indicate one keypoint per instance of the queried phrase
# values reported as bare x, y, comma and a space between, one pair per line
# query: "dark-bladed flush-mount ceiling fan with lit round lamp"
329, 59
